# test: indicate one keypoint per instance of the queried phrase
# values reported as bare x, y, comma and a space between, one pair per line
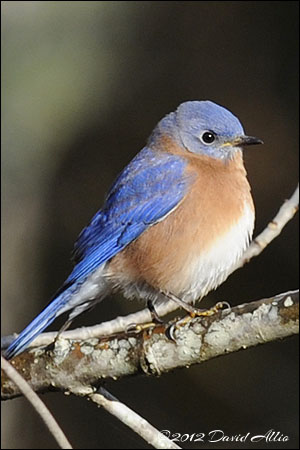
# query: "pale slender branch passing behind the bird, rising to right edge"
121, 323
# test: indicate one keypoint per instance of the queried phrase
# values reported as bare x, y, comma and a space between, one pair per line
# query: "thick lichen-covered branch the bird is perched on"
76, 365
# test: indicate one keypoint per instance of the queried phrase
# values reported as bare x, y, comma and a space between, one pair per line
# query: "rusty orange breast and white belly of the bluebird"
192, 250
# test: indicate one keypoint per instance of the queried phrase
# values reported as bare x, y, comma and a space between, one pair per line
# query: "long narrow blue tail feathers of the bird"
45, 318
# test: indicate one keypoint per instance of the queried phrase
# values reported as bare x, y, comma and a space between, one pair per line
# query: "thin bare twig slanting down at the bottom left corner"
37, 404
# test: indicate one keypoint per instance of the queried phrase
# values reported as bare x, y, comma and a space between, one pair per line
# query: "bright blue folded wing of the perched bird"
148, 188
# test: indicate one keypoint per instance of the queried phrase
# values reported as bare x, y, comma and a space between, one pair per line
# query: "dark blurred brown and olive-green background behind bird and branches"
83, 84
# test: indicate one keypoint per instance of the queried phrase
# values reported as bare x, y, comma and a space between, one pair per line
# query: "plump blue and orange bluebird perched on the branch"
174, 222
